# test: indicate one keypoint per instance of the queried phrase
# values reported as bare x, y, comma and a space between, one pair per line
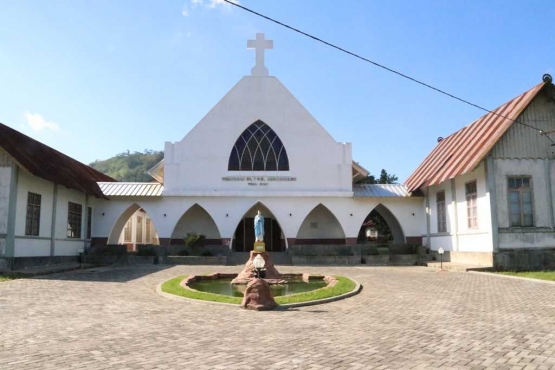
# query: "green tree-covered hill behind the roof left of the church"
128, 166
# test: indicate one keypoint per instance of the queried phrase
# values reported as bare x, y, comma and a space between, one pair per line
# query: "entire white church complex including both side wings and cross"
483, 190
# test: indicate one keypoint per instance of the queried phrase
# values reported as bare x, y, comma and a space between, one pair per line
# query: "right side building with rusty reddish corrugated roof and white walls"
489, 187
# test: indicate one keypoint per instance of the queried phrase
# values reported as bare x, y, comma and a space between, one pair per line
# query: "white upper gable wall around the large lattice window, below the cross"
197, 164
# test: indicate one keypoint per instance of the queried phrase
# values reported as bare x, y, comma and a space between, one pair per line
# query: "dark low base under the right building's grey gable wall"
524, 259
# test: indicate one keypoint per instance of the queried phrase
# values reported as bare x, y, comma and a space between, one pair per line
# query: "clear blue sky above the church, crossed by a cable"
93, 79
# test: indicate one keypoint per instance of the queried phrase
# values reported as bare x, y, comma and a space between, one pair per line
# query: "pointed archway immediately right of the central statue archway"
320, 226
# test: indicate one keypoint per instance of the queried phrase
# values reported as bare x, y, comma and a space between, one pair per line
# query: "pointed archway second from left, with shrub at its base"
196, 220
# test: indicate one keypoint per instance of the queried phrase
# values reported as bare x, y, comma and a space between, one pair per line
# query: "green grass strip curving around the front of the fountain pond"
344, 285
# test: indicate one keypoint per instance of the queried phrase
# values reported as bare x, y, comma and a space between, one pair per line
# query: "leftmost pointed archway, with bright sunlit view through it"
133, 228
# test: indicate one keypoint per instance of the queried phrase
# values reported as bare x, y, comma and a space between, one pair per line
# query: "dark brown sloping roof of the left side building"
43, 161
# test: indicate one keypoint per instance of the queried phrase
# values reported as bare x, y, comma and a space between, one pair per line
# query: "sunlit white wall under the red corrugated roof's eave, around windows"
459, 237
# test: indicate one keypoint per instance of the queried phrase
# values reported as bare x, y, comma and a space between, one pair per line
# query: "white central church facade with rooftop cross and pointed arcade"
267, 153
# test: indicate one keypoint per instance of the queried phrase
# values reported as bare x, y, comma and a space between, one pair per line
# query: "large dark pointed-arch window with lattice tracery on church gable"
258, 149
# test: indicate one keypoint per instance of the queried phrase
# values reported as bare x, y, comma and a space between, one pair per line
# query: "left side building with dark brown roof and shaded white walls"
47, 202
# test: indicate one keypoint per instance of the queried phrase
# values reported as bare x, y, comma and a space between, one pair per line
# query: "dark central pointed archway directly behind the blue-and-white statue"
243, 238
